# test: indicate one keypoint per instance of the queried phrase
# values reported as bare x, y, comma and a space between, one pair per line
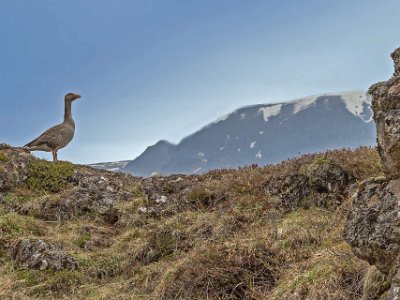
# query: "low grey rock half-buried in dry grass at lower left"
42, 255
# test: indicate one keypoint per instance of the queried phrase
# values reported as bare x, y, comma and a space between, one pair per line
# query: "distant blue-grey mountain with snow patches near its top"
264, 134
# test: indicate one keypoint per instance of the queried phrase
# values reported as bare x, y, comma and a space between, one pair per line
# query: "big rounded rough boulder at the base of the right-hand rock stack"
373, 228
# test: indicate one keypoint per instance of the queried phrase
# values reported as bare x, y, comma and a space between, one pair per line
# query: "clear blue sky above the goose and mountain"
151, 70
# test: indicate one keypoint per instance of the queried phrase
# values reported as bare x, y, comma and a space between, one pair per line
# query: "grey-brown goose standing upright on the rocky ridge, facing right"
59, 136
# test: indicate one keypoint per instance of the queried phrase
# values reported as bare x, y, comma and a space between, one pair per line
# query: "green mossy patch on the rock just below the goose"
45, 176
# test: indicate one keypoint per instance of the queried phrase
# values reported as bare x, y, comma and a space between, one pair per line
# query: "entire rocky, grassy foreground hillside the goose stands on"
275, 232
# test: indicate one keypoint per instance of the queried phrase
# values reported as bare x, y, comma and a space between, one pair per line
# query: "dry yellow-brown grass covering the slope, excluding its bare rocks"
227, 238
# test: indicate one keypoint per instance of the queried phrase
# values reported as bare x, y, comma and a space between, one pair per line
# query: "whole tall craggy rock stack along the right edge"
373, 227
